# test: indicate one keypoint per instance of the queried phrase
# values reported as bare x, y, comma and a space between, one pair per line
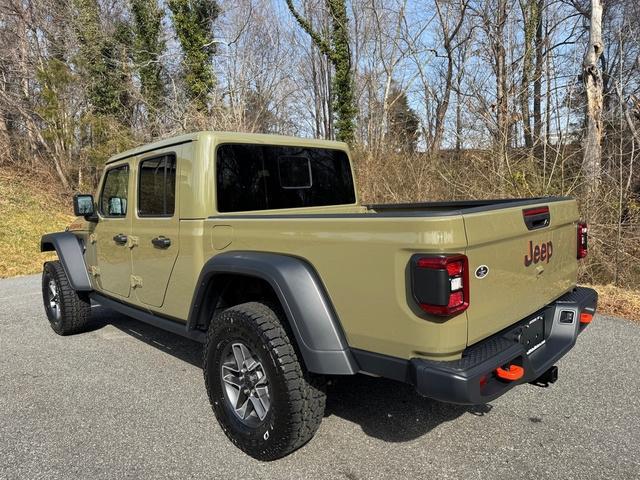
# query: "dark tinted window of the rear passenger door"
157, 187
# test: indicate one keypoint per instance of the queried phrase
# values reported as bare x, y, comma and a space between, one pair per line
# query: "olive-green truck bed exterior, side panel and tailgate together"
362, 252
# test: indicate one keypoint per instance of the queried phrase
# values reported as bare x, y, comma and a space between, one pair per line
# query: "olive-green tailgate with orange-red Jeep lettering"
515, 284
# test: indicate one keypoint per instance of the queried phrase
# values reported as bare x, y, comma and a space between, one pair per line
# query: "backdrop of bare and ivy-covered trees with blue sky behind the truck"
73, 91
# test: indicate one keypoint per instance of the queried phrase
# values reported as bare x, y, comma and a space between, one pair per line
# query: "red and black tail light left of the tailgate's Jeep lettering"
440, 283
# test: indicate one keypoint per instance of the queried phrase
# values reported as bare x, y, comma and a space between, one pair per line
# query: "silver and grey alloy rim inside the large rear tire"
245, 384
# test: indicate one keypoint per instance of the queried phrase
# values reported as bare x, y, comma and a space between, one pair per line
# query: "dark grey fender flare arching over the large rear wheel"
305, 302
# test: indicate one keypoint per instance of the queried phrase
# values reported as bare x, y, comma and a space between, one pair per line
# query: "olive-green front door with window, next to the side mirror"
112, 232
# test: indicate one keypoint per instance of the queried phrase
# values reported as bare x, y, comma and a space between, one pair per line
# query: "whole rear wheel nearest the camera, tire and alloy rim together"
264, 400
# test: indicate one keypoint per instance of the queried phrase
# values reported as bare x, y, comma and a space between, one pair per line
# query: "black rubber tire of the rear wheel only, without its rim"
297, 398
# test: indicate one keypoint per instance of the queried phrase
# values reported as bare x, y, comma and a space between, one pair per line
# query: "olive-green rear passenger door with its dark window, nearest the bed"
155, 227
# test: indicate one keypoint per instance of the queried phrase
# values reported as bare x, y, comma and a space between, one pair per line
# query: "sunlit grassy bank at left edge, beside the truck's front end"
29, 207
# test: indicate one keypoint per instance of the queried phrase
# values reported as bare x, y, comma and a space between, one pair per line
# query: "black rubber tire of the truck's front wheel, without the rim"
74, 307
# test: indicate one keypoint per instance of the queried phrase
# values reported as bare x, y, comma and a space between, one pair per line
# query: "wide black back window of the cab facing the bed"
263, 177
